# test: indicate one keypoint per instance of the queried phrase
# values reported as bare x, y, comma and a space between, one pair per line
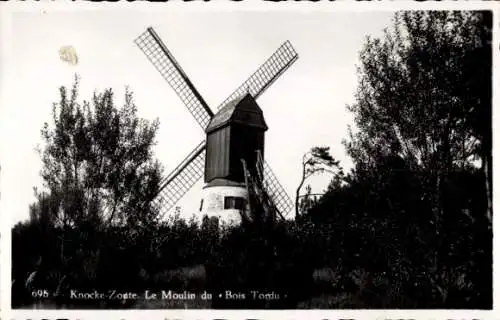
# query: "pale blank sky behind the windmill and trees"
218, 51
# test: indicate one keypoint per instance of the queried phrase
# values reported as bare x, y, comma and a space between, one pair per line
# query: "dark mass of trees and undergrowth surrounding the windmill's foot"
408, 227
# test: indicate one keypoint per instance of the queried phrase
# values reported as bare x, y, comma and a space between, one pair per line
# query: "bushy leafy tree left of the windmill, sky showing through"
98, 165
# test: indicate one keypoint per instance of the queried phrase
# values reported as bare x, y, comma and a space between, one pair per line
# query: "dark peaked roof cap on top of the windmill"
242, 110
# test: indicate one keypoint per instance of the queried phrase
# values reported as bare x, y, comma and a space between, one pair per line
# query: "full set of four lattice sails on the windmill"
182, 178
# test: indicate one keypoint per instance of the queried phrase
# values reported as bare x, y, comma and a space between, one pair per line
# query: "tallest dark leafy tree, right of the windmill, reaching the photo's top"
422, 91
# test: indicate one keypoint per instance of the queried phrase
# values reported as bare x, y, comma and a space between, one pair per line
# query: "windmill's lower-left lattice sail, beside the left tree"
180, 180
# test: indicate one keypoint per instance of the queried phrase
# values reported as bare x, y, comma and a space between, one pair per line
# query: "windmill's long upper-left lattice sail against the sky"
163, 60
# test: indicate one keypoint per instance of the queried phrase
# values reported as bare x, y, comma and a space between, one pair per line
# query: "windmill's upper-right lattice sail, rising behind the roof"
267, 73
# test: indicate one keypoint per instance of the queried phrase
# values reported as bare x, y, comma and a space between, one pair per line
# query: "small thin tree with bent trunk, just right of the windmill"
317, 160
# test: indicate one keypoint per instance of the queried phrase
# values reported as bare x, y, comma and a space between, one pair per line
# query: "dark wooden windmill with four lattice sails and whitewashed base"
235, 132
